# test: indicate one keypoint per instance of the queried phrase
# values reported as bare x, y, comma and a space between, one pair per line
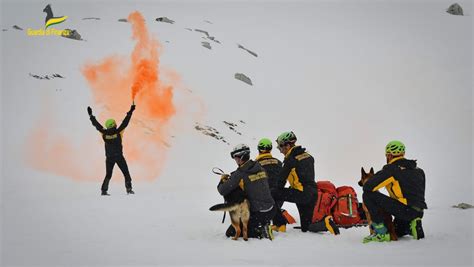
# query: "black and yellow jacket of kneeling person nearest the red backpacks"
298, 169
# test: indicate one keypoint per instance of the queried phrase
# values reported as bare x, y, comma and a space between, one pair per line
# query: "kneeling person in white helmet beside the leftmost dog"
253, 180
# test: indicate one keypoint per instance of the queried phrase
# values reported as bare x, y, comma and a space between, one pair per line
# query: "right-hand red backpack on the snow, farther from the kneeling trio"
345, 212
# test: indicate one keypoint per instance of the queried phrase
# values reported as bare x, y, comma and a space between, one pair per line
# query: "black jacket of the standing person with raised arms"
113, 136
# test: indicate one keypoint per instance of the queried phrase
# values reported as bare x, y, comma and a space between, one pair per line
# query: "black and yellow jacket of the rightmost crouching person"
403, 180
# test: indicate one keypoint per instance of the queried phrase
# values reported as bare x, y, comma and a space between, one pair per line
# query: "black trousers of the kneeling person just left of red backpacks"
304, 200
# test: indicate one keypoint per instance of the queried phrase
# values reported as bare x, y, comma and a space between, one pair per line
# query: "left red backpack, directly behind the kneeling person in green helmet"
327, 197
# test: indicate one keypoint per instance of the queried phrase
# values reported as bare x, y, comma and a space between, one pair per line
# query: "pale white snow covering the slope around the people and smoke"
345, 76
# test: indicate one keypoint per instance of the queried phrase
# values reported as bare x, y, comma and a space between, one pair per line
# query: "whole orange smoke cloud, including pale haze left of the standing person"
112, 81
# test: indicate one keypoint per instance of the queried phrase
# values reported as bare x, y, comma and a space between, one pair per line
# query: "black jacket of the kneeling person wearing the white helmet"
254, 181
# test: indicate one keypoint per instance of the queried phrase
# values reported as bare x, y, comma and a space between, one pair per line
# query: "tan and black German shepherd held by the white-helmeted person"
239, 210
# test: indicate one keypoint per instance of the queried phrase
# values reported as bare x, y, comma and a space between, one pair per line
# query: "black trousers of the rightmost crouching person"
377, 202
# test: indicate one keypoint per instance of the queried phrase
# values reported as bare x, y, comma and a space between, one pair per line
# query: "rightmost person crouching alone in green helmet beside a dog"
405, 183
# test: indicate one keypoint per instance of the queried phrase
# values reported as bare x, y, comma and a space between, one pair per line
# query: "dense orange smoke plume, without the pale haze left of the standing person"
146, 139
